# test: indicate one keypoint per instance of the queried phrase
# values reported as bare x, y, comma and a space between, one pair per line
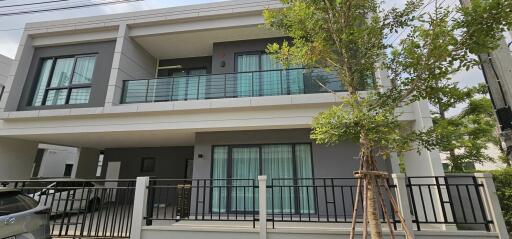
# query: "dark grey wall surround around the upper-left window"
104, 52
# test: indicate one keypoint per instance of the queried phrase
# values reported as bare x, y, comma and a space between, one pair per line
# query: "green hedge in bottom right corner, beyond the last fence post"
503, 182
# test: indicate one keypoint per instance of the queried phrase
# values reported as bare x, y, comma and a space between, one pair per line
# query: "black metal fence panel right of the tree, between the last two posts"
448, 200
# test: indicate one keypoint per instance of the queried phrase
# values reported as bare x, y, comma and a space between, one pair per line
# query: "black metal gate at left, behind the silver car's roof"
91, 209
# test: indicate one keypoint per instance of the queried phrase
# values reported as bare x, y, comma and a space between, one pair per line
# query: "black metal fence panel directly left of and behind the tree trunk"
321, 200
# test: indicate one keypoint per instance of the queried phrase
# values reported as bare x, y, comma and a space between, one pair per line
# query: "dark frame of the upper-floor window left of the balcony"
69, 87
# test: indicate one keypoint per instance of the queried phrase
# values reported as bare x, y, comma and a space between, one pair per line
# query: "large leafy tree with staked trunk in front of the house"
351, 39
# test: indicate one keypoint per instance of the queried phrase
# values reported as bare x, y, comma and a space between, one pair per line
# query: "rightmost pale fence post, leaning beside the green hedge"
493, 204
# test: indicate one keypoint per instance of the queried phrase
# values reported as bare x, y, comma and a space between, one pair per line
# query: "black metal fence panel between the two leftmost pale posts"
202, 200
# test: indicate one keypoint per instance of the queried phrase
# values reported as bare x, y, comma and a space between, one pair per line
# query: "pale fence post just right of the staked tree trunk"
402, 199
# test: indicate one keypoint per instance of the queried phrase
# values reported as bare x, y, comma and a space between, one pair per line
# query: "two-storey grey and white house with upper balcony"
185, 93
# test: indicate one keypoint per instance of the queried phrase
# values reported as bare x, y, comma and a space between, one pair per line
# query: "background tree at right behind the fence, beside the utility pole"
465, 136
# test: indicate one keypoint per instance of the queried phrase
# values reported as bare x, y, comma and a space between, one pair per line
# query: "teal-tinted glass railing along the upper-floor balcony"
231, 85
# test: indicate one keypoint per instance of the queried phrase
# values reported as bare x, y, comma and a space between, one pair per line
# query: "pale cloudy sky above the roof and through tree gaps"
11, 27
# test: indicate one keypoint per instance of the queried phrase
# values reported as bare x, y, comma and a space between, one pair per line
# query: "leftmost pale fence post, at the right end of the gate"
139, 206
